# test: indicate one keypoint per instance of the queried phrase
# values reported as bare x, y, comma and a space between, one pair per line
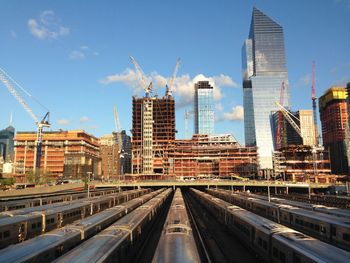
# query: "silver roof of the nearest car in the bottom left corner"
23, 251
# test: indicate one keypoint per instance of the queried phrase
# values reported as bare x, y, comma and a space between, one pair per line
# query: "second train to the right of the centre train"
332, 229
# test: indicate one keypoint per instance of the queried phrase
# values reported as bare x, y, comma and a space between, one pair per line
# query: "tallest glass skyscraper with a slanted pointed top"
264, 71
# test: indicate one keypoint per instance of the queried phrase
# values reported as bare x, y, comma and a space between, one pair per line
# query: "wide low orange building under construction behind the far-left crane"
68, 154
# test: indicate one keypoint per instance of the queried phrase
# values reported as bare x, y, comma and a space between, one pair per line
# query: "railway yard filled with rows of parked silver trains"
183, 224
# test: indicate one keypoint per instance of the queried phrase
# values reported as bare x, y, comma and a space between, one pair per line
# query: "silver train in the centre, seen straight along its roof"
177, 243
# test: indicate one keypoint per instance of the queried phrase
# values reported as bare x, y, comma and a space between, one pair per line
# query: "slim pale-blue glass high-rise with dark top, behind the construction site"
203, 108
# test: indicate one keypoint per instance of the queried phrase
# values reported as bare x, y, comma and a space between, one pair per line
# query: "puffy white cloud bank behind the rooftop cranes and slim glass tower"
183, 86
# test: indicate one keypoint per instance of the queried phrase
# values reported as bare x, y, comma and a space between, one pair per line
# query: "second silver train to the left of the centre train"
49, 246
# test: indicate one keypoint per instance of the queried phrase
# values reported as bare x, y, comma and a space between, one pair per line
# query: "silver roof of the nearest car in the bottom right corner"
313, 248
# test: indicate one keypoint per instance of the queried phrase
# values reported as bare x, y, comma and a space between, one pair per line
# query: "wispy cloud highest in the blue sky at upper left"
47, 26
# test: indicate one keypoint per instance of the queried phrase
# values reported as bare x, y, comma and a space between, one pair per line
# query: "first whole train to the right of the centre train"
272, 242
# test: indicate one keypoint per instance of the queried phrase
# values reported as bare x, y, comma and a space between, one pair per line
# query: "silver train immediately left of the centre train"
115, 243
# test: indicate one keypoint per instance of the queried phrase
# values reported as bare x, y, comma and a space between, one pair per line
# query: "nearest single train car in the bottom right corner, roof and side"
293, 246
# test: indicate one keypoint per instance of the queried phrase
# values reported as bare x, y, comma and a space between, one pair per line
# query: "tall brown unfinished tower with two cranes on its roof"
153, 131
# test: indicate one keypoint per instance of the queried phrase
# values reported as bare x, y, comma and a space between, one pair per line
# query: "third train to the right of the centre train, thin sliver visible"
318, 208
